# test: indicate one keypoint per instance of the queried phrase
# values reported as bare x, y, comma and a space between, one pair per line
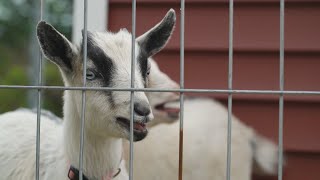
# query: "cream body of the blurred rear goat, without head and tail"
205, 146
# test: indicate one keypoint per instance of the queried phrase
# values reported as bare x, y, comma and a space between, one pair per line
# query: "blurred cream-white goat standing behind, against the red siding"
205, 140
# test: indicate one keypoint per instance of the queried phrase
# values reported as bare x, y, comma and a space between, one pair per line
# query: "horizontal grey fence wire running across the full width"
186, 90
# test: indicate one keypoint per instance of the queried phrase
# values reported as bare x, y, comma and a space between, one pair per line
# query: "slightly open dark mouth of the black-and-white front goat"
140, 130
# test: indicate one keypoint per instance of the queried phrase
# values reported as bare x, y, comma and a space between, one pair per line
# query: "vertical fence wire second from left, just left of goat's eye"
83, 105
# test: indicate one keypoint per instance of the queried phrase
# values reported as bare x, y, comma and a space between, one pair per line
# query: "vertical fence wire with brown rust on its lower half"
182, 12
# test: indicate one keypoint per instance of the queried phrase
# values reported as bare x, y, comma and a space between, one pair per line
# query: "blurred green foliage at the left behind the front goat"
18, 20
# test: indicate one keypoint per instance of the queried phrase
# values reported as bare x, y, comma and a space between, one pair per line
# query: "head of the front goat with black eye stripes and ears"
108, 65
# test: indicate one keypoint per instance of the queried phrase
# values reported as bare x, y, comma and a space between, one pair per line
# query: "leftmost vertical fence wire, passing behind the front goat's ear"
39, 105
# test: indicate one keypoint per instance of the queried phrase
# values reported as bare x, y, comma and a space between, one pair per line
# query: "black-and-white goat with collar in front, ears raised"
109, 65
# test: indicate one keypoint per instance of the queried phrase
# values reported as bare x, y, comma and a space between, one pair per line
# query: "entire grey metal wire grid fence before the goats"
230, 91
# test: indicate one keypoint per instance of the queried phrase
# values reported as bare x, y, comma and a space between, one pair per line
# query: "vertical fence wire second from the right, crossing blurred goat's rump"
230, 75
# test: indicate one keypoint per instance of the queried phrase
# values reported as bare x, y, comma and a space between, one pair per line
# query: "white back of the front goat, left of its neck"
18, 147
